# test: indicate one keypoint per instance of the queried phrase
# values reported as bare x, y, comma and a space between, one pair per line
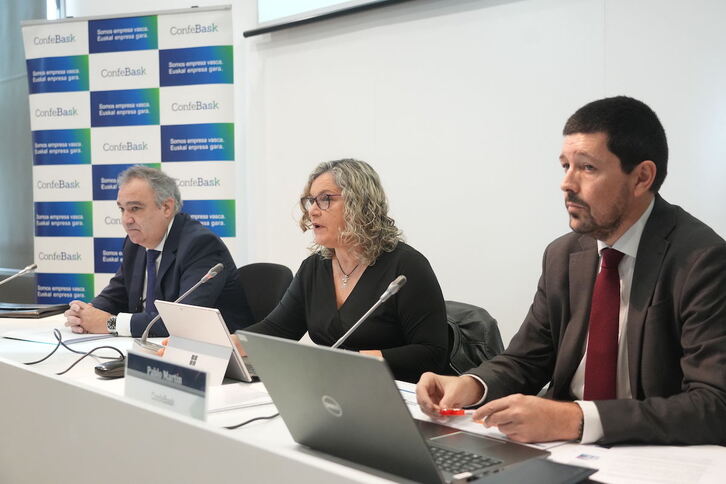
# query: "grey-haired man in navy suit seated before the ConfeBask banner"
166, 253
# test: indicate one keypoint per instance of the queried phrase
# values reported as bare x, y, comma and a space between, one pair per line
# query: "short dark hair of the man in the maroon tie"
633, 130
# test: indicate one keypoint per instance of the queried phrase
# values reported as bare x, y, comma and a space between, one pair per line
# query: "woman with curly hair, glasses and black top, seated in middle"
357, 252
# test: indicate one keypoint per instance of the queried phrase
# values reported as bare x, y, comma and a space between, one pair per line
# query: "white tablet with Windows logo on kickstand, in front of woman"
200, 324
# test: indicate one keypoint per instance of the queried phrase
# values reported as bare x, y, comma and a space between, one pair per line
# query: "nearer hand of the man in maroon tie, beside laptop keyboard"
532, 419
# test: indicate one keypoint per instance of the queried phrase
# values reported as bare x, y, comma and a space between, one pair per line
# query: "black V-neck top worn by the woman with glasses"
410, 328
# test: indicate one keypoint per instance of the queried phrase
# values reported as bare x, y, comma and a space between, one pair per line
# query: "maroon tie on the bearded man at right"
602, 344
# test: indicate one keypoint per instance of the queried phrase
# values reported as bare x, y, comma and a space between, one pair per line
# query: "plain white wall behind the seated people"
459, 105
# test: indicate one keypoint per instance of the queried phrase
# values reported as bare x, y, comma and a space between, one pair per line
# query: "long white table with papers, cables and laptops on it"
78, 427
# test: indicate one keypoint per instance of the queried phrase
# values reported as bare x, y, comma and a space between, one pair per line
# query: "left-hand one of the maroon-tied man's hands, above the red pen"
435, 392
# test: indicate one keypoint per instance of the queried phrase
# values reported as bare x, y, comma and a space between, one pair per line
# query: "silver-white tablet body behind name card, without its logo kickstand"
207, 325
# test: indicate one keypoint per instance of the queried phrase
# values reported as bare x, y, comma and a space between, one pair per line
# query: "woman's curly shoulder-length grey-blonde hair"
368, 227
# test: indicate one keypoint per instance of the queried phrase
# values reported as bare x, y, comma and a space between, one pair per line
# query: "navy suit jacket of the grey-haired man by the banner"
189, 252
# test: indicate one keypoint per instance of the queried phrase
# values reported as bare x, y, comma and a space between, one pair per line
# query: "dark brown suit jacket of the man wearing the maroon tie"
676, 333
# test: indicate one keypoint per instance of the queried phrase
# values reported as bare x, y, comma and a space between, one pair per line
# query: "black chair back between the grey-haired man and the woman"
264, 285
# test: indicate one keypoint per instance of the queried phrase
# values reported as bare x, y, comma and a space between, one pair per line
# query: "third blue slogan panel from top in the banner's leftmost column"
63, 219
